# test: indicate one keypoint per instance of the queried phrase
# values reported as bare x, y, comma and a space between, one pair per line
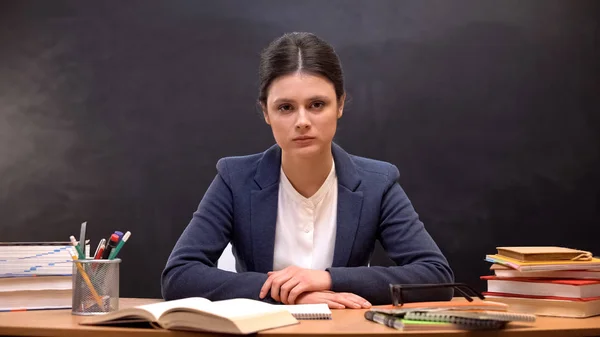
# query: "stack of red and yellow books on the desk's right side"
547, 281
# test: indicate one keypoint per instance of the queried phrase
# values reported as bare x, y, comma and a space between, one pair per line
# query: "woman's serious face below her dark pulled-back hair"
302, 111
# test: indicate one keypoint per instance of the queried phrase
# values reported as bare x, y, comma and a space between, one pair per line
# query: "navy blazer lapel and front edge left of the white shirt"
263, 209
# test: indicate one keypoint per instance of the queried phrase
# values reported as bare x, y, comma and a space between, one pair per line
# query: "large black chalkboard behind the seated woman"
116, 112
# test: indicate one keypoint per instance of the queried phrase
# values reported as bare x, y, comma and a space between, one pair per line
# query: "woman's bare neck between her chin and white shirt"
307, 174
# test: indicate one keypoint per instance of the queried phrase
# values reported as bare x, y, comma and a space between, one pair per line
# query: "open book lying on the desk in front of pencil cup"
235, 316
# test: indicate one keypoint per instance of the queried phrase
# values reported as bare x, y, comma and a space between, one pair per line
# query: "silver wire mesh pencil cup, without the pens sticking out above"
95, 286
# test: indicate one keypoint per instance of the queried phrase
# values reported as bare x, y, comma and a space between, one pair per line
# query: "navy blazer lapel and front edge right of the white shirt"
349, 206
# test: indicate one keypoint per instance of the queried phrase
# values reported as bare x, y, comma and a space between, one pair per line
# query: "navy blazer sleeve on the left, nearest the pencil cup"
191, 270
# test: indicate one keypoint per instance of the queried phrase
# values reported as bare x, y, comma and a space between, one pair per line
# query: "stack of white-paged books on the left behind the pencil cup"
35, 275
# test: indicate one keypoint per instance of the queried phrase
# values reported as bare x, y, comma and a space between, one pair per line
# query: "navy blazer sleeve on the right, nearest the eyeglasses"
417, 257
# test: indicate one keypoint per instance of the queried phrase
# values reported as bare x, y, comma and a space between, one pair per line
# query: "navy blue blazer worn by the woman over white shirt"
240, 207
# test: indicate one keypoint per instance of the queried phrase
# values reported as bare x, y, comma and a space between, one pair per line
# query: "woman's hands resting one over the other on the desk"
294, 284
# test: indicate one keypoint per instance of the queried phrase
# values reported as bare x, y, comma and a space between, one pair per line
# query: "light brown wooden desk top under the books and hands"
345, 323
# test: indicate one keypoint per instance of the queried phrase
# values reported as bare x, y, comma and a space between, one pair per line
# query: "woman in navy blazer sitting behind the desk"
304, 215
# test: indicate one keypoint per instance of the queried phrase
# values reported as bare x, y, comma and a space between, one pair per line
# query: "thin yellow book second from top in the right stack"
593, 263
